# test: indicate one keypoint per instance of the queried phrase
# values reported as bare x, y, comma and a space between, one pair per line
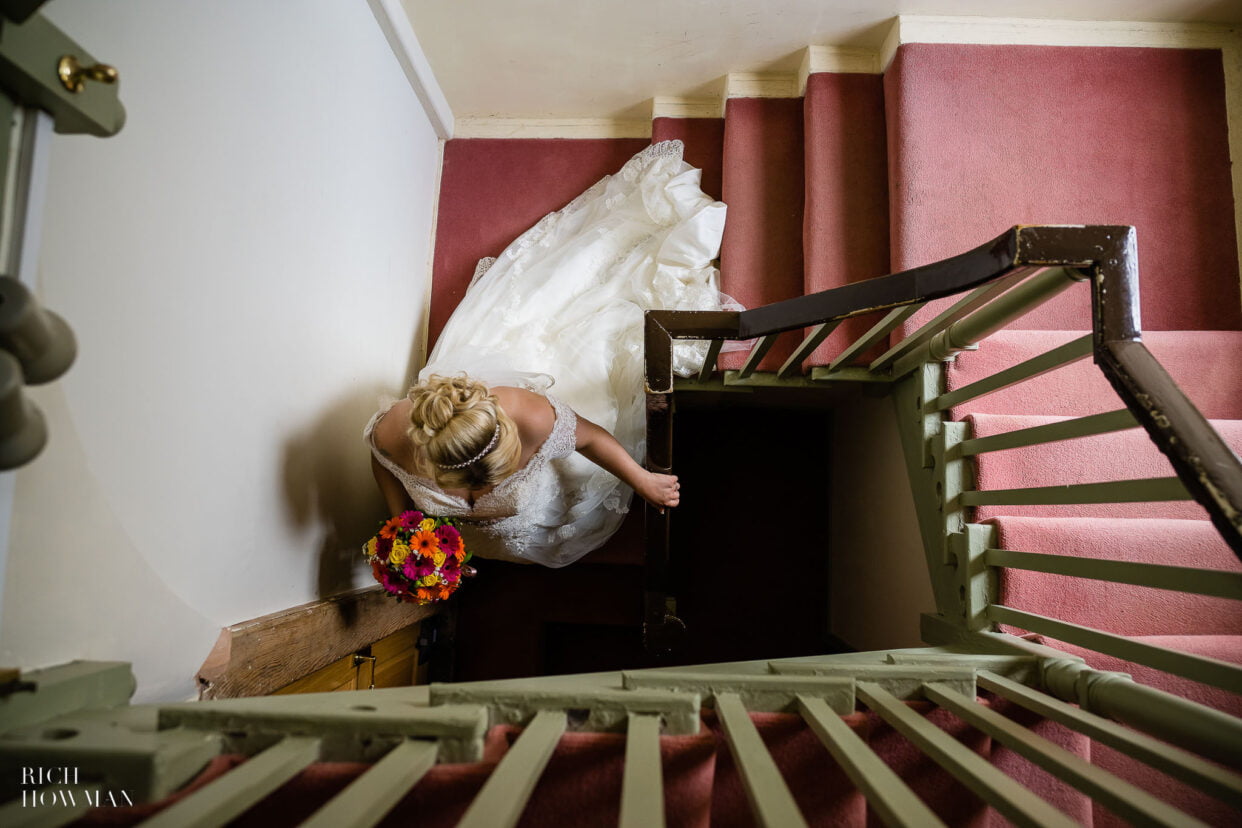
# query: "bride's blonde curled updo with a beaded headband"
454, 420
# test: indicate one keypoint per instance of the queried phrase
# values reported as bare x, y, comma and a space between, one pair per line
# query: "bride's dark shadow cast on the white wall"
329, 487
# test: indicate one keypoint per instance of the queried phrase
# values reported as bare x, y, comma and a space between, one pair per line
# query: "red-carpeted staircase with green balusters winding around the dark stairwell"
1019, 383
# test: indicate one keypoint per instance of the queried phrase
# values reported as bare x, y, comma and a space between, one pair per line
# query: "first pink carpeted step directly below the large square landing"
1207, 366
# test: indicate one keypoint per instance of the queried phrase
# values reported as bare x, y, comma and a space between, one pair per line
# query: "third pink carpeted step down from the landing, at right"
1118, 608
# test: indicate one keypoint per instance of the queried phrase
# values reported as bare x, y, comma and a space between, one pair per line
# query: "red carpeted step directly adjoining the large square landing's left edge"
845, 229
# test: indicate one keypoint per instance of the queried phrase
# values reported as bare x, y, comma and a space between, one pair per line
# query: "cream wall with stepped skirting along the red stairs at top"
605, 59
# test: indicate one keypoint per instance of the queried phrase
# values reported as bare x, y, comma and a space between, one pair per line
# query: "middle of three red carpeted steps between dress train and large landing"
762, 251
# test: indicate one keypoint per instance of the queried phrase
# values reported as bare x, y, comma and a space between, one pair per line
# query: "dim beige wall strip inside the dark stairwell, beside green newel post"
880, 579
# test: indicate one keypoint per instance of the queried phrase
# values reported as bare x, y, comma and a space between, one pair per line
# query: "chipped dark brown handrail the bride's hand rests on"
1203, 461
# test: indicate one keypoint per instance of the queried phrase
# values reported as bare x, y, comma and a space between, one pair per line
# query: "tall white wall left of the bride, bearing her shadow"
247, 266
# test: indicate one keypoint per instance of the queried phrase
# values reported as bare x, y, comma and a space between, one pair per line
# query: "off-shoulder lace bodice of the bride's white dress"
502, 522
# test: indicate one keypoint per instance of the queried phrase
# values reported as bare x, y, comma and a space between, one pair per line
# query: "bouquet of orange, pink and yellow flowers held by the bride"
419, 559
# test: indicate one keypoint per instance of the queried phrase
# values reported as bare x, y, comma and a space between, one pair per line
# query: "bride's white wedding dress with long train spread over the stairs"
563, 307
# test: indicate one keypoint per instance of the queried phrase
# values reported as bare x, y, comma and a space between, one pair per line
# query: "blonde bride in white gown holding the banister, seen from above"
537, 476
